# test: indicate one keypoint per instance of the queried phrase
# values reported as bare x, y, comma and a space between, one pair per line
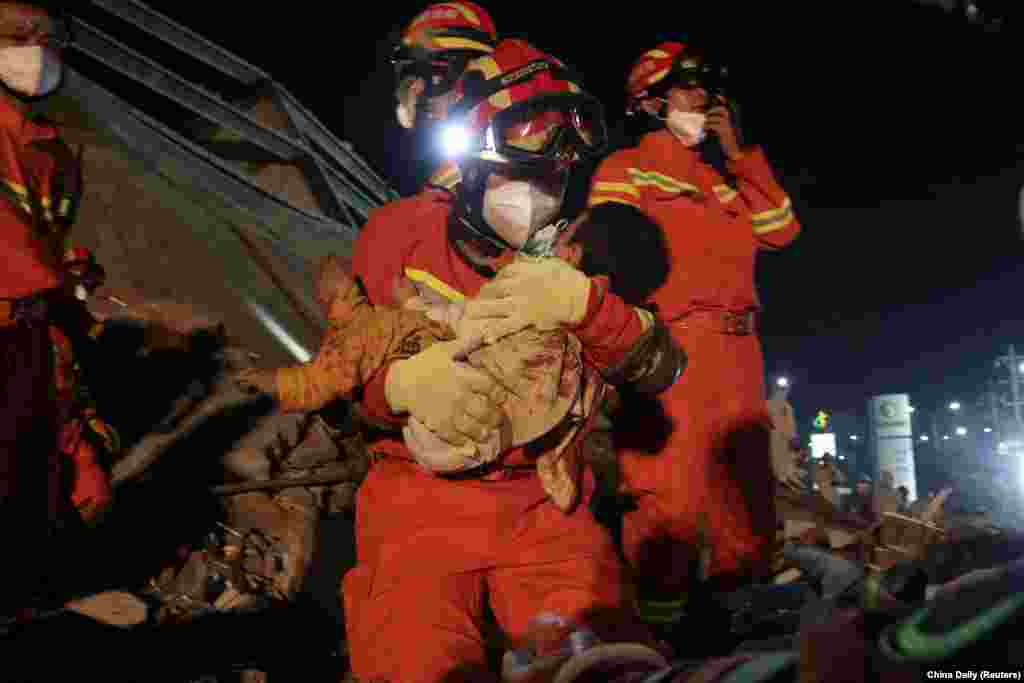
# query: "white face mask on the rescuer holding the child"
517, 209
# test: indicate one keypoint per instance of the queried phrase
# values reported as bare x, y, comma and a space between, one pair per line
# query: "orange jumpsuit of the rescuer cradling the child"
432, 550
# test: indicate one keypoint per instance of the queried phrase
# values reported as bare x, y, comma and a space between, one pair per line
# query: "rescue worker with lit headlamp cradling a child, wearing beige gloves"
431, 548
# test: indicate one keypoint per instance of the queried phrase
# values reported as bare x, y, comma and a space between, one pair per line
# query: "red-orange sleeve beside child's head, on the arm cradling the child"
611, 328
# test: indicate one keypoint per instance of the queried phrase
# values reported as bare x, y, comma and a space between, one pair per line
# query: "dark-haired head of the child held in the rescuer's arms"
618, 241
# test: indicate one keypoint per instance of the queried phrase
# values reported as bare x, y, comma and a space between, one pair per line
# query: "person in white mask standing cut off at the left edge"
39, 190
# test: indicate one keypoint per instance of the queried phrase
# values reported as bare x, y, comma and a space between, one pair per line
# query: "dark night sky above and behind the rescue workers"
893, 126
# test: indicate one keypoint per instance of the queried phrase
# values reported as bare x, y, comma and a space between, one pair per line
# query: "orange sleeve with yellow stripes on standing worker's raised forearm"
772, 211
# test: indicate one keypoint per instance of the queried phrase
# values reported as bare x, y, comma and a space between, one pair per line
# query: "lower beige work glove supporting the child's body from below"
458, 403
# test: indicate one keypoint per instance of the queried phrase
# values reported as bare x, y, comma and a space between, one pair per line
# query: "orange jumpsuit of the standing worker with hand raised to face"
714, 474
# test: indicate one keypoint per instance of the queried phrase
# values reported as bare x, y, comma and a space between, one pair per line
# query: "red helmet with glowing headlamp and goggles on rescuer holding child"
520, 107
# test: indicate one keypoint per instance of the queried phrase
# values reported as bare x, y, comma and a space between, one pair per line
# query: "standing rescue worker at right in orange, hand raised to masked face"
713, 479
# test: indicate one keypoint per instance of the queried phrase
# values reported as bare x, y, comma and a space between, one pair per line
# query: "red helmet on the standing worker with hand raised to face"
671, 65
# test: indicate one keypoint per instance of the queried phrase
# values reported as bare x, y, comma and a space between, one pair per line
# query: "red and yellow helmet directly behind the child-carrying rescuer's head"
441, 41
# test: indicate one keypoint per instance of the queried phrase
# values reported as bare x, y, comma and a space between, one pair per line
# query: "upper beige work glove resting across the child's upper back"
544, 292
